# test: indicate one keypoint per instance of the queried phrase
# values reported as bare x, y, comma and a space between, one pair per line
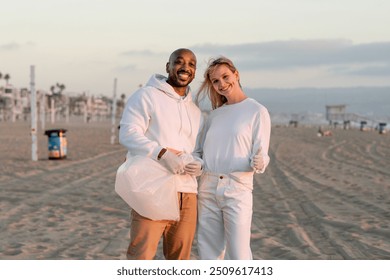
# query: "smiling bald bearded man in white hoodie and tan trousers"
161, 122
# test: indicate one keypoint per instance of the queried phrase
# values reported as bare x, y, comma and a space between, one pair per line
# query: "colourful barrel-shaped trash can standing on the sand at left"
56, 143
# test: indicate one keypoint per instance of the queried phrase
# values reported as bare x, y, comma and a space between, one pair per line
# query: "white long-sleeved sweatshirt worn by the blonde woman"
233, 135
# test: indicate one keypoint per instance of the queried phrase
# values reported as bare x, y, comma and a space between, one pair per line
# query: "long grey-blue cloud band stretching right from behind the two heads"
292, 54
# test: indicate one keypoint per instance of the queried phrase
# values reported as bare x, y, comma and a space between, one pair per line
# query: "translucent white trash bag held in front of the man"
148, 188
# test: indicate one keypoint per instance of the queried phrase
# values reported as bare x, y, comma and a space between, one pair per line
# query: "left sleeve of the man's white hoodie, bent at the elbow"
134, 124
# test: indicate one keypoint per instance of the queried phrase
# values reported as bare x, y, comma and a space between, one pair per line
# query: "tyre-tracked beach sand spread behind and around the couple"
320, 198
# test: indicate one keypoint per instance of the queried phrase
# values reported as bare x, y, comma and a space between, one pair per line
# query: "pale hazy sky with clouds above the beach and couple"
86, 44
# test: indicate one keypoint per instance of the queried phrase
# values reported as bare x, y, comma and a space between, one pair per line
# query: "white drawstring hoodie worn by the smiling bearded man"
156, 117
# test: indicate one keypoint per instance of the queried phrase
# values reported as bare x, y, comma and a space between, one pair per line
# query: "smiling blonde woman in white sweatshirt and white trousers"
234, 145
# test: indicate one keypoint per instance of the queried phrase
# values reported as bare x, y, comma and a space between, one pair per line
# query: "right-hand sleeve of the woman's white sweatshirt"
261, 136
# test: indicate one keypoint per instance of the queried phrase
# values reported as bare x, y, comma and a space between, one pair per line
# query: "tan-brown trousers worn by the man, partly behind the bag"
178, 236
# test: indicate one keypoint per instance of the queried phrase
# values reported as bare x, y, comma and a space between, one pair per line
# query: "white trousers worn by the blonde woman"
224, 216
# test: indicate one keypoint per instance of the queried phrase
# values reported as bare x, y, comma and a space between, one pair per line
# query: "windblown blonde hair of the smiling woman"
207, 89
